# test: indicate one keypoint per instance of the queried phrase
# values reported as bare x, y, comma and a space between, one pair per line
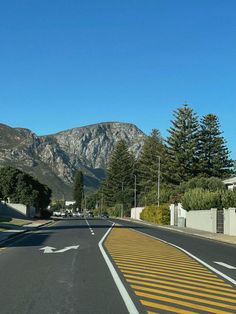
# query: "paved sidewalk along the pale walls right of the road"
204, 234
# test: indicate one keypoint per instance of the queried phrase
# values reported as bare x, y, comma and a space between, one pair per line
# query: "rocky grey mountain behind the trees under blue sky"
54, 158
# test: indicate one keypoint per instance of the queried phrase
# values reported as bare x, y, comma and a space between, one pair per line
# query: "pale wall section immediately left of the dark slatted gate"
202, 219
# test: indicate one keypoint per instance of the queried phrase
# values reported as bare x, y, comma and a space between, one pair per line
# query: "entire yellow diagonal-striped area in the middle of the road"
165, 278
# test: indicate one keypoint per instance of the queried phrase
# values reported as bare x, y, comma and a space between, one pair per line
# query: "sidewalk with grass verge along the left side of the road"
12, 231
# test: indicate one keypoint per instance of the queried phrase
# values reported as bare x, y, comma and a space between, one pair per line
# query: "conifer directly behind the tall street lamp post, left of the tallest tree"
152, 154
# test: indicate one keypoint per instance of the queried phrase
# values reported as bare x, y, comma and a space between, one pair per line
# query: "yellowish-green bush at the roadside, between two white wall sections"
155, 214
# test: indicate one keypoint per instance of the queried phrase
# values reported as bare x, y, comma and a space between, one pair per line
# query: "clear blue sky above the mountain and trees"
67, 63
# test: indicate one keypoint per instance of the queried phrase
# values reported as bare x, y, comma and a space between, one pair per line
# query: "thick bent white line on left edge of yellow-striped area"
125, 296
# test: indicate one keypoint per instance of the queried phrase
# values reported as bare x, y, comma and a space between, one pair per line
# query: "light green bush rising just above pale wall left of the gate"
200, 199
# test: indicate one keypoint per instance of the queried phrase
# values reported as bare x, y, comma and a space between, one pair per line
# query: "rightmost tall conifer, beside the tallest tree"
213, 154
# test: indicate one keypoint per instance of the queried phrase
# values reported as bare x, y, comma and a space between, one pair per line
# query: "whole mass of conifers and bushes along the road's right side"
194, 159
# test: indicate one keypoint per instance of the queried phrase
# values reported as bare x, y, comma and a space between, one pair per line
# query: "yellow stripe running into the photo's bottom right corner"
181, 303
